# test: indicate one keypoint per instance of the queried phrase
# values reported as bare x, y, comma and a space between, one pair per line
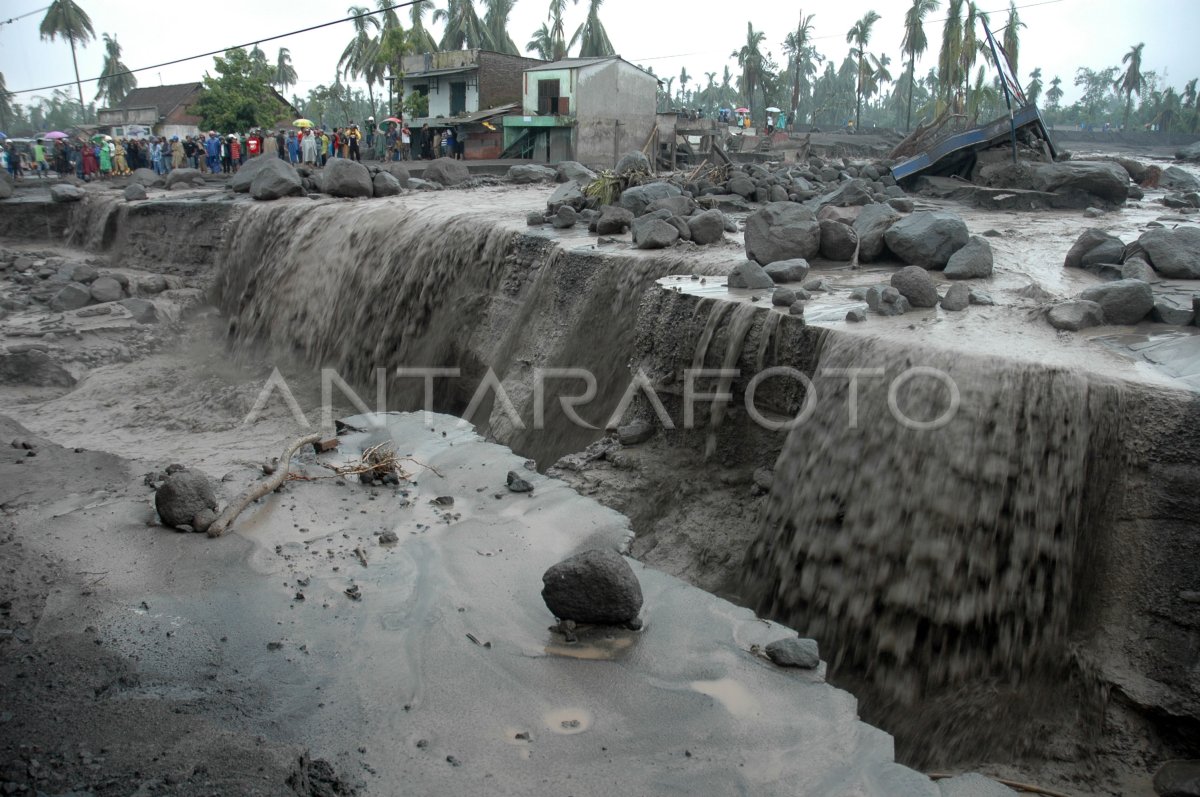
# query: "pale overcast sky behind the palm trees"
667, 35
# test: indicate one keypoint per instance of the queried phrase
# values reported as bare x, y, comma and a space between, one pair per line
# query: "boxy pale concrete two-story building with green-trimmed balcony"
589, 110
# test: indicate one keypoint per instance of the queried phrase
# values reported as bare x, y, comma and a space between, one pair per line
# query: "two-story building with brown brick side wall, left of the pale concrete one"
465, 91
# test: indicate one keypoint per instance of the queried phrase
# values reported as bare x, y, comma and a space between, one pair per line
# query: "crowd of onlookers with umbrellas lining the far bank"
104, 157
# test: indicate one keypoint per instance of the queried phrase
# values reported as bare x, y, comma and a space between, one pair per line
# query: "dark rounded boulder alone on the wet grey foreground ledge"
597, 588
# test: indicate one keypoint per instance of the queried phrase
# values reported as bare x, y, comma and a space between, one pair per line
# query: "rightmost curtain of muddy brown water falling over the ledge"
931, 561
